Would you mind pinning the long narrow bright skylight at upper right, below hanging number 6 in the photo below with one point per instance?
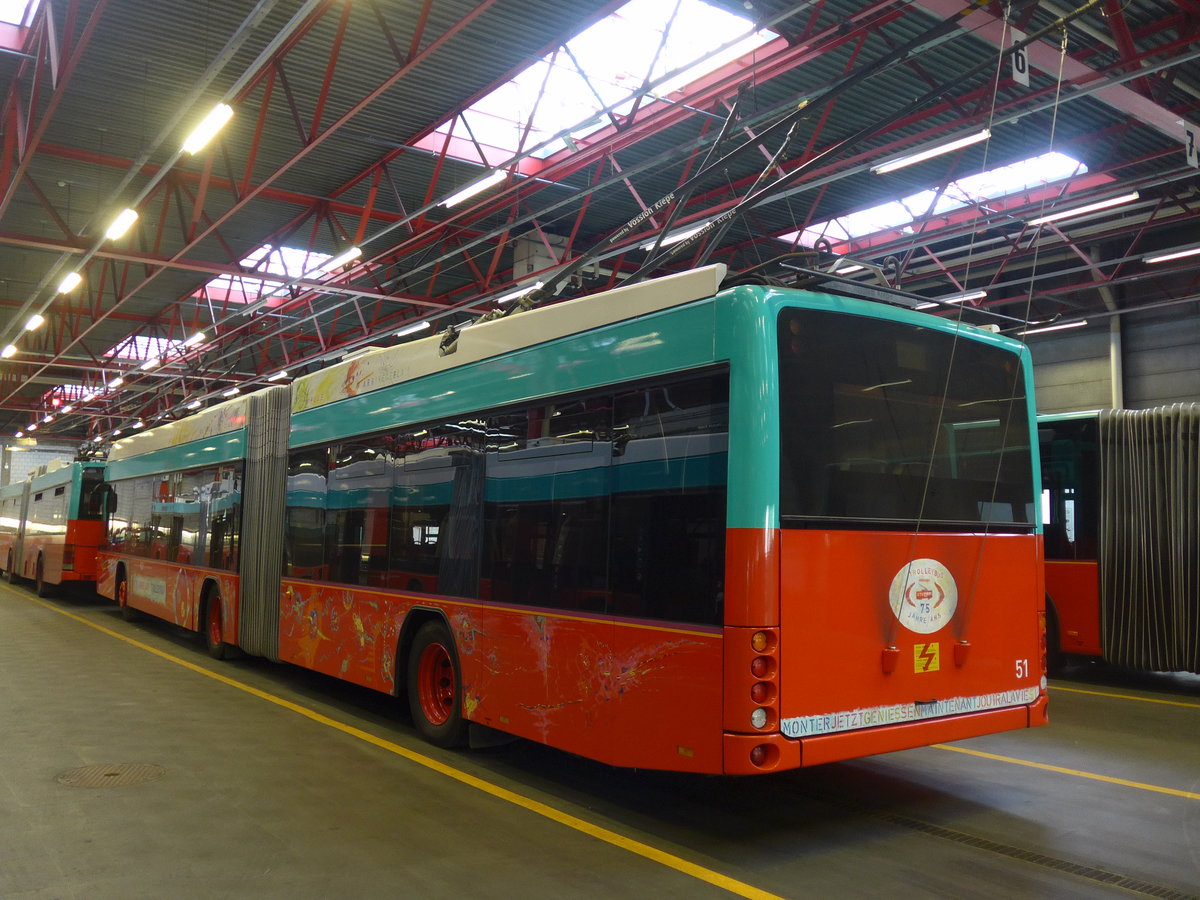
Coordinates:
(1028, 176)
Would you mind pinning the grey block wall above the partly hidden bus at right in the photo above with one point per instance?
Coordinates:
(1072, 371)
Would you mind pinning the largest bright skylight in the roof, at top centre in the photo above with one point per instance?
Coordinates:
(605, 68)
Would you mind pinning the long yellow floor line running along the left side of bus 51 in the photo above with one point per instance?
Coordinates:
(609, 837)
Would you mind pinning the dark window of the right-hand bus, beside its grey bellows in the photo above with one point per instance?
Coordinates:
(1070, 489)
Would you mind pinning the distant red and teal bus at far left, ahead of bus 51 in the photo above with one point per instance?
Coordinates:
(52, 525)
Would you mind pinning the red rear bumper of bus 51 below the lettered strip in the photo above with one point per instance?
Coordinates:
(797, 753)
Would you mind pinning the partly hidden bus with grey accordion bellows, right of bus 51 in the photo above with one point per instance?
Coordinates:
(1121, 511)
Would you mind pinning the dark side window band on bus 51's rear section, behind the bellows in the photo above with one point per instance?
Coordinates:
(610, 502)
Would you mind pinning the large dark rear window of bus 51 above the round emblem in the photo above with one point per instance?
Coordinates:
(886, 424)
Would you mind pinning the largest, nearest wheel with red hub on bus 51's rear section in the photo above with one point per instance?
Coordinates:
(435, 687)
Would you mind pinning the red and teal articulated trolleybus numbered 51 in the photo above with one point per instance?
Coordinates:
(668, 526)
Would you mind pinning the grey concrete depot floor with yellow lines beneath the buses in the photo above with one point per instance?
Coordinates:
(335, 796)
